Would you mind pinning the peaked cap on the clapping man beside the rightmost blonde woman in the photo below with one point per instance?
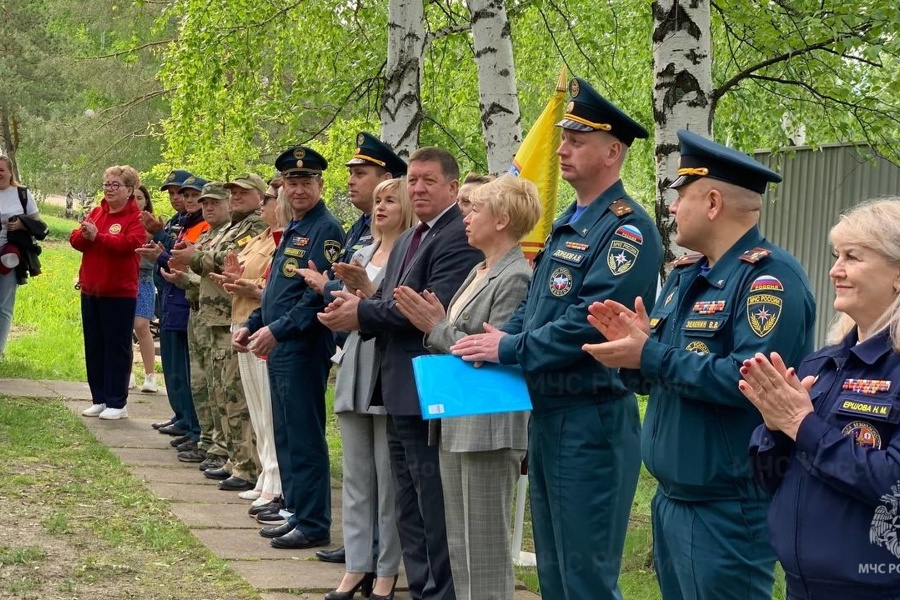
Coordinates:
(701, 157)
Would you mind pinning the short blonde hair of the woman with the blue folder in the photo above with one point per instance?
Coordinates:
(511, 196)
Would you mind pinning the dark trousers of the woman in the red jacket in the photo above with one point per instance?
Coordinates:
(107, 324)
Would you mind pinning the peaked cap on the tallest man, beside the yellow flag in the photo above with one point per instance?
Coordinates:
(589, 111)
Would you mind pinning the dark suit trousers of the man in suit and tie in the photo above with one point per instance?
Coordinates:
(420, 509)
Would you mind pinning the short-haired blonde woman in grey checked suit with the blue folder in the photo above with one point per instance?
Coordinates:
(480, 456)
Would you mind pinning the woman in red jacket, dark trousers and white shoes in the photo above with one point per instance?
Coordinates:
(107, 239)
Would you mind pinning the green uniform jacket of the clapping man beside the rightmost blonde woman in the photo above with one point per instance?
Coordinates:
(756, 298)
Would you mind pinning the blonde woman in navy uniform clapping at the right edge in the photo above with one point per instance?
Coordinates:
(829, 448)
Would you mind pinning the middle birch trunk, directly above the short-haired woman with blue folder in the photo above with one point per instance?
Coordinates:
(499, 102)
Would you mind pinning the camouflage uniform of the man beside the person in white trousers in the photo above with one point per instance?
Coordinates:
(226, 393)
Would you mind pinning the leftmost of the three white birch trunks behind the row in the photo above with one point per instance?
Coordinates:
(401, 107)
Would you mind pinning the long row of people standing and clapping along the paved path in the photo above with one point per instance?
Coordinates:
(262, 291)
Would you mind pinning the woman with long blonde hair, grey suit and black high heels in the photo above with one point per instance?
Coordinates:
(368, 487)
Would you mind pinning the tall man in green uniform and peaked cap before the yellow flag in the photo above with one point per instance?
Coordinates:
(584, 442)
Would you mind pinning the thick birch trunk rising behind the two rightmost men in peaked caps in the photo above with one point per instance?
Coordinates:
(682, 63)
